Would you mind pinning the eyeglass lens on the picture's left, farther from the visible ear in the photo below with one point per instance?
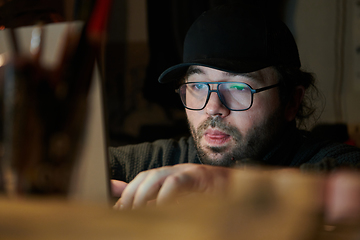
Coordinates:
(193, 95)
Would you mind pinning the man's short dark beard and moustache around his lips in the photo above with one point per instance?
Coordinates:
(251, 146)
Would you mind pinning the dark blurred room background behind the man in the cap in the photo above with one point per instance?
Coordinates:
(145, 37)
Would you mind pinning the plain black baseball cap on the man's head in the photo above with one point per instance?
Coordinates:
(236, 38)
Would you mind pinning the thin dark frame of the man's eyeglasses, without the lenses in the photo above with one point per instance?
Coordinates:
(252, 90)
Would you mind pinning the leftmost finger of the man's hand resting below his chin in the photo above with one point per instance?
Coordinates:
(127, 197)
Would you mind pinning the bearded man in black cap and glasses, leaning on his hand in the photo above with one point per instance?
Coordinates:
(243, 92)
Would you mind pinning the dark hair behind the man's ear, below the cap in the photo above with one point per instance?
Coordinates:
(289, 79)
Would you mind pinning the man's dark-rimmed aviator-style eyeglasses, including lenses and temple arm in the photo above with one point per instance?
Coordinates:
(236, 96)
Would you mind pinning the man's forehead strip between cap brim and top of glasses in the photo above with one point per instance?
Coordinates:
(209, 74)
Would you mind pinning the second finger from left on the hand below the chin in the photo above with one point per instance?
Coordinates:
(150, 187)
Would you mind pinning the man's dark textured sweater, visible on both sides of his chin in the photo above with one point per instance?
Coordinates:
(296, 149)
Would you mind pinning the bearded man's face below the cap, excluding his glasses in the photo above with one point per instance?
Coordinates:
(223, 136)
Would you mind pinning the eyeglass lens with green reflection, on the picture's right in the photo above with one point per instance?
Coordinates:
(236, 96)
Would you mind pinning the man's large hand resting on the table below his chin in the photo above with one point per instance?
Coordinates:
(166, 184)
